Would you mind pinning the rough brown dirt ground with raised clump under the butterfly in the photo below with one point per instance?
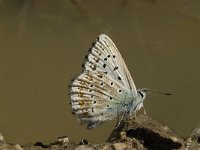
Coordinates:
(138, 133)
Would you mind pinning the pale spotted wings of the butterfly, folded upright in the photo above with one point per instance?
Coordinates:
(104, 84)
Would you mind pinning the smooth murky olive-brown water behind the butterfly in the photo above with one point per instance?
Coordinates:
(43, 43)
